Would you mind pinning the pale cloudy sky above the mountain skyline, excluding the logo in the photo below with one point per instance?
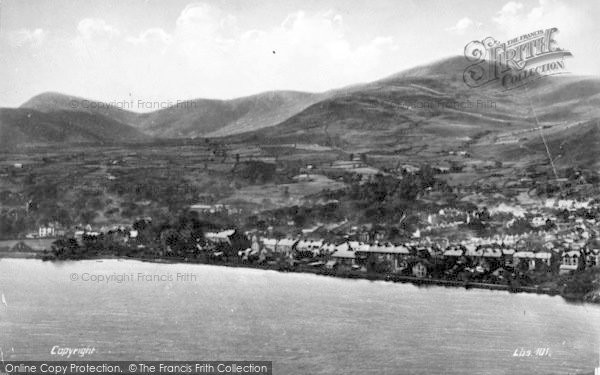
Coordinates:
(150, 50)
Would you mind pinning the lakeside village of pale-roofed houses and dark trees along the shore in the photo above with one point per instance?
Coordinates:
(562, 244)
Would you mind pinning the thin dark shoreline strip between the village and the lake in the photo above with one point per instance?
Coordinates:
(317, 271)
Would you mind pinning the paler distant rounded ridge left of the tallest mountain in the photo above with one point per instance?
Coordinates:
(200, 117)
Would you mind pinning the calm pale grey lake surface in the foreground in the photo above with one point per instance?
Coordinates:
(305, 324)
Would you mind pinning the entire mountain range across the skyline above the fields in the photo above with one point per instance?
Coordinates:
(420, 112)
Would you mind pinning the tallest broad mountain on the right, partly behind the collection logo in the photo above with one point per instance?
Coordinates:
(429, 109)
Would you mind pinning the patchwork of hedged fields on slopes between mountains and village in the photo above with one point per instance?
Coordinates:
(114, 184)
